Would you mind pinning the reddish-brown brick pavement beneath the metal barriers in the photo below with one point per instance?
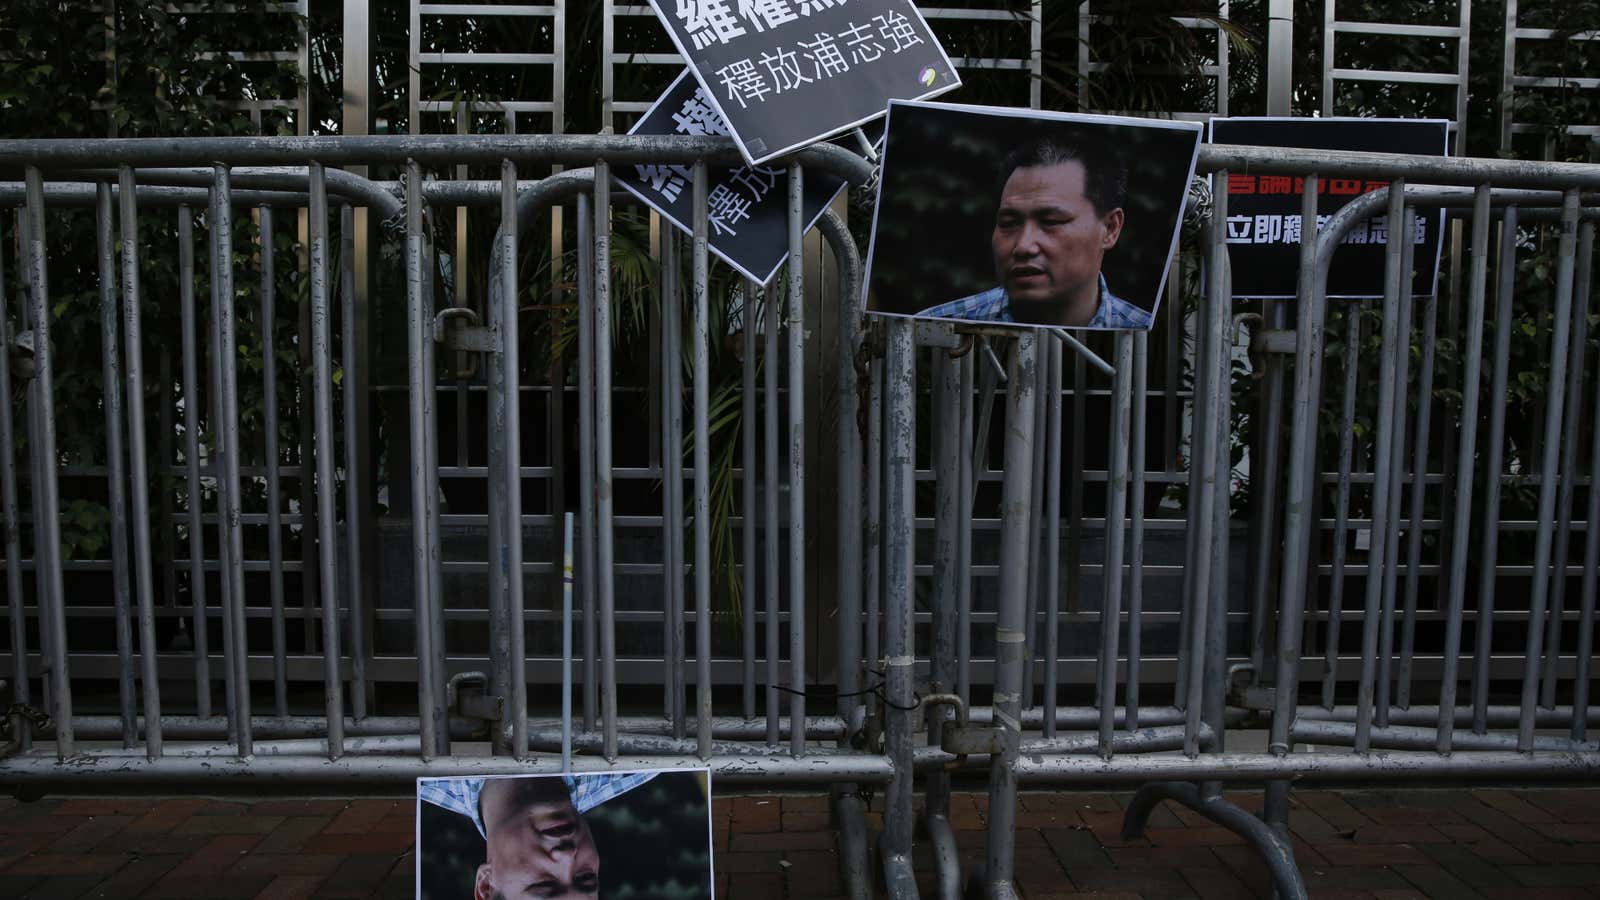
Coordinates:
(1487, 843)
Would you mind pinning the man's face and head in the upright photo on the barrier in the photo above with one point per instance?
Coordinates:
(1049, 244)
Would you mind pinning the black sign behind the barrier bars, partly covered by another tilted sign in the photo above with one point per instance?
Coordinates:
(748, 206)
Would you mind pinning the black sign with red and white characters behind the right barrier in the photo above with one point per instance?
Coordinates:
(1265, 211)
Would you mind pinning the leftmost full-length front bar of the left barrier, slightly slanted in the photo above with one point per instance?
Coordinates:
(47, 504)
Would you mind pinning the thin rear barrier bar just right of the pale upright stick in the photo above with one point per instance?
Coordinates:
(586, 457)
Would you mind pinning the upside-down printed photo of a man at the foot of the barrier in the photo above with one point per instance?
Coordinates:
(639, 835)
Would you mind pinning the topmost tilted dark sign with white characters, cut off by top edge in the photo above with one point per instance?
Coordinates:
(791, 73)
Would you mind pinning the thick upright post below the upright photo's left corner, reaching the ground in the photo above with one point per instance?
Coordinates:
(900, 582)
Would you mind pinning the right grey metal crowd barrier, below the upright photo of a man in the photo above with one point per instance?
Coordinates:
(1404, 720)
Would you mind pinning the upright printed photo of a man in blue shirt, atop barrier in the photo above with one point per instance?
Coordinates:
(1031, 219)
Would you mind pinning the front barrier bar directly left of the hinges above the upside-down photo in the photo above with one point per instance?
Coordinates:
(422, 403)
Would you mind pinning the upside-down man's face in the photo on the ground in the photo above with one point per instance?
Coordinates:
(538, 845)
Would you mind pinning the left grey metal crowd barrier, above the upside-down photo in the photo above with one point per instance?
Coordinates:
(782, 742)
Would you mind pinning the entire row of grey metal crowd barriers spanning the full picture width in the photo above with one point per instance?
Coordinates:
(1039, 726)
